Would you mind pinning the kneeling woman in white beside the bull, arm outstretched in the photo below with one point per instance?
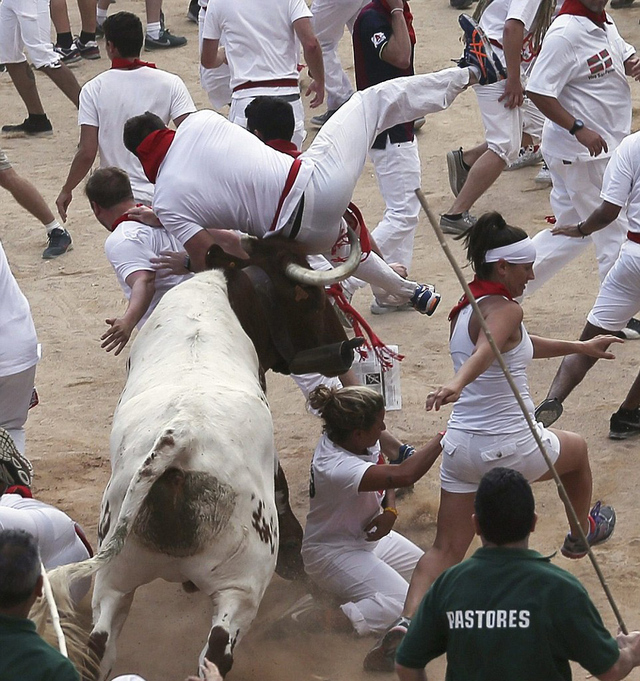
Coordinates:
(349, 546)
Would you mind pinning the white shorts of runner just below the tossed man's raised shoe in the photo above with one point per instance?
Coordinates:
(503, 127)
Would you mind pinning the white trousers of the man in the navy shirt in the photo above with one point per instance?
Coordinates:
(397, 168)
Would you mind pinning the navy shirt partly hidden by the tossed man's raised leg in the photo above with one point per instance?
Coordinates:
(371, 32)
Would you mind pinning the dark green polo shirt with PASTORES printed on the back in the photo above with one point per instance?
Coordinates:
(508, 615)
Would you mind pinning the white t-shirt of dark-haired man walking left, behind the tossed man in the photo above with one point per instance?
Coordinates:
(112, 97)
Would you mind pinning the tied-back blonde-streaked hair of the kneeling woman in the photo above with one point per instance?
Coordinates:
(344, 410)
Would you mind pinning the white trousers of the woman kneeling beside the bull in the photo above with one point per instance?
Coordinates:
(374, 584)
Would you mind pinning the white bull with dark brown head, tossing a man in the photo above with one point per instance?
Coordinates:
(191, 497)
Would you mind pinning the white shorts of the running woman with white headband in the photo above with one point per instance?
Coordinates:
(466, 457)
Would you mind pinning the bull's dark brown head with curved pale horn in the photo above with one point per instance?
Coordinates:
(283, 308)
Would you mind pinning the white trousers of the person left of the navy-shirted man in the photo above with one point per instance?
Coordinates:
(329, 19)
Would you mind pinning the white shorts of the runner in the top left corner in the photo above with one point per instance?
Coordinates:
(26, 24)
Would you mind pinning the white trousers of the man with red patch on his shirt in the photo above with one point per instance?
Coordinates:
(575, 195)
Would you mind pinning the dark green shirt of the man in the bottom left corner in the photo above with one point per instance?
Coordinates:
(24, 656)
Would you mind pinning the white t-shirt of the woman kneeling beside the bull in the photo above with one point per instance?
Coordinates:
(338, 513)
